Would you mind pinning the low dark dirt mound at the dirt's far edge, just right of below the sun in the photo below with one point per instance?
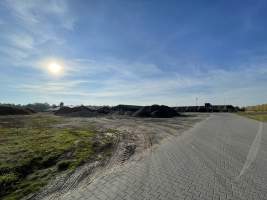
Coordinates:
(79, 111)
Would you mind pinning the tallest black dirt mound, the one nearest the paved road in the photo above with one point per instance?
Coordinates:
(156, 111)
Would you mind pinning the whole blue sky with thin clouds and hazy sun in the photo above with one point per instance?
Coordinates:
(133, 52)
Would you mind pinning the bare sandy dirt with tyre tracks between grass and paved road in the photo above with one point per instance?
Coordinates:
(135, 137)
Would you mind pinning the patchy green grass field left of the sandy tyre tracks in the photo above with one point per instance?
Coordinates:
(33, 150)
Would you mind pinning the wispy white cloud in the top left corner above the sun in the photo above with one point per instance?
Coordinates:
(34, 28)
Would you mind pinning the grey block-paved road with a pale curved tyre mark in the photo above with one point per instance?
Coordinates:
(223, 157)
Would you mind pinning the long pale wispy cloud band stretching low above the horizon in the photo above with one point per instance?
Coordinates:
(132, 84)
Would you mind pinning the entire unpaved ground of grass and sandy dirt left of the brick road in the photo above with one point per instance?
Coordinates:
(53, 155)
